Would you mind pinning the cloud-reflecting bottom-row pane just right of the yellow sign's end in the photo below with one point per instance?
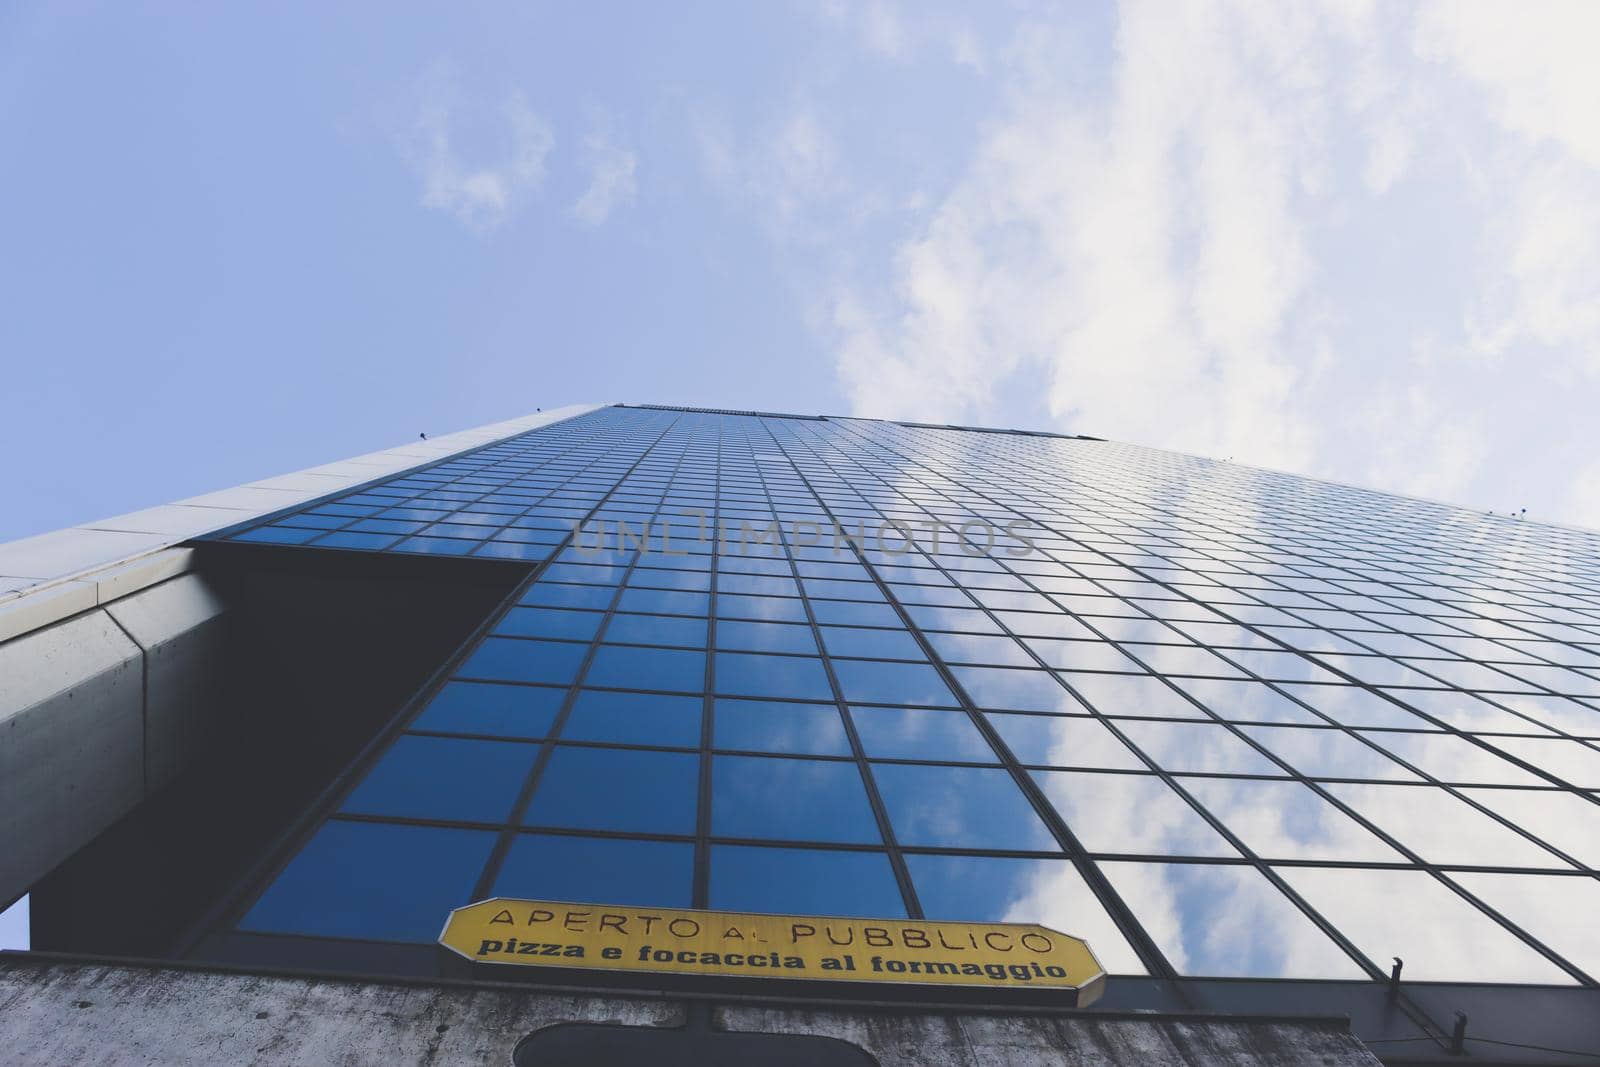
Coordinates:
(1185, 908)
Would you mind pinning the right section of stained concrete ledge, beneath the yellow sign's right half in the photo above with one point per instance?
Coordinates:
(1063, 1041)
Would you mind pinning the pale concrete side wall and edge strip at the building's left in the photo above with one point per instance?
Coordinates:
(111, 652)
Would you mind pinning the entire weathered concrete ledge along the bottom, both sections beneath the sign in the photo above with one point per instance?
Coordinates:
(62, 1012)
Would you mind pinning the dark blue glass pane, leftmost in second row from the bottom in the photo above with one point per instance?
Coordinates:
(446, 778)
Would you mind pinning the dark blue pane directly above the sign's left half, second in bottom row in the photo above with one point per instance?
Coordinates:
(598, 871)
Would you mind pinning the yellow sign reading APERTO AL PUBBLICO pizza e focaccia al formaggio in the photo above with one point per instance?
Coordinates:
(735, 945)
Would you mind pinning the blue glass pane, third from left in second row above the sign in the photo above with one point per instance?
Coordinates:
(798, 801)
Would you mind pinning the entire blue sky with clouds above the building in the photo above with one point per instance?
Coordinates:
(1353, 241)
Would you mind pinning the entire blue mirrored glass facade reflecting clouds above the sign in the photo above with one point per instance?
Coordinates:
(1220, 722)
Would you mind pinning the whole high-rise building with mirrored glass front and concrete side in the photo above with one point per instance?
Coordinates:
(1281, 751)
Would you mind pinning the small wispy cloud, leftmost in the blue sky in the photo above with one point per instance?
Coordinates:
(511, 164)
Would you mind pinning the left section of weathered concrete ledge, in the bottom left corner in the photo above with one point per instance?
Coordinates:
(70, 1013)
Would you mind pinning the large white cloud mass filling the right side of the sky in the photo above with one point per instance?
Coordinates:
(1343, 239)
